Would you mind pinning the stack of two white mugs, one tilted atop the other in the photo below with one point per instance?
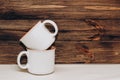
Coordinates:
(40, 59)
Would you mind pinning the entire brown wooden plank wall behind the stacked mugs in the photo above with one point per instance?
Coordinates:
(89, 30)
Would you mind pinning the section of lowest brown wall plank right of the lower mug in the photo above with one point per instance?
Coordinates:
(103, 52)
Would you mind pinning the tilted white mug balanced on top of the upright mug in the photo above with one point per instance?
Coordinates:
(39, 37)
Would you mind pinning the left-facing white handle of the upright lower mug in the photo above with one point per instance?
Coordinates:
(19, 57)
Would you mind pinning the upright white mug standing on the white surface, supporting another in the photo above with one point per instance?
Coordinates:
(38, 62)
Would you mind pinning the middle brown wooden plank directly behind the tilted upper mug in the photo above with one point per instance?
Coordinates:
(68, 29)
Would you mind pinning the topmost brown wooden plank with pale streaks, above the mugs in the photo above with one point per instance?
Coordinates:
(63, 9)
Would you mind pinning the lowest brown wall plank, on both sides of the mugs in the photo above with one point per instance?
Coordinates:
(68, 52)
